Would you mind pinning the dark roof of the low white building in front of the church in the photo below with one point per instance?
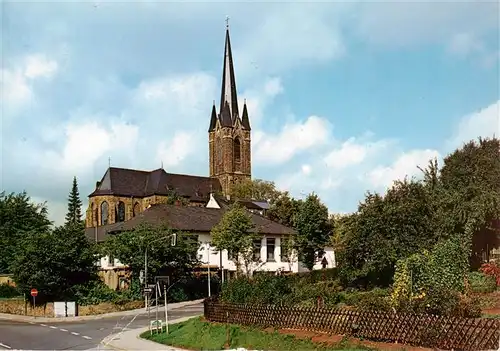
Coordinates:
(184, 218)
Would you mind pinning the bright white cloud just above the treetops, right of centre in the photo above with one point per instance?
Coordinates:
(405, 165)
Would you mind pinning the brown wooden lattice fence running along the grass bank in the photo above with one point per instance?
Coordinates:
(417, 330)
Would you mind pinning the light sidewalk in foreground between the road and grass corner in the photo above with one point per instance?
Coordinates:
(131, 340)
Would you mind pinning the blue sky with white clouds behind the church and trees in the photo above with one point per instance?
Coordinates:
(343, 97)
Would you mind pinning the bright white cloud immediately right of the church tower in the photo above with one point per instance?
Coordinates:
(291, 140)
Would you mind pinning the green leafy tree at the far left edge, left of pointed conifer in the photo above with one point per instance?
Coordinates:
(18, 216)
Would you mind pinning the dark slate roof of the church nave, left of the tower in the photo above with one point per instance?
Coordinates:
(131, 182)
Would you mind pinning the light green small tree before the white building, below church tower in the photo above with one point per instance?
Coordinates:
(236, 234)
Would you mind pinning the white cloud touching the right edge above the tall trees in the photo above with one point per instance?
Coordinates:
(483, 123)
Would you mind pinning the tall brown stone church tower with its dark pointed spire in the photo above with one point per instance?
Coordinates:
(229, 132)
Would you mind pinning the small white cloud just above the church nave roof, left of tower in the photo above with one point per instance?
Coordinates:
(174, 153)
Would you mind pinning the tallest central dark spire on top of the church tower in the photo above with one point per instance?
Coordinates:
(228, 92)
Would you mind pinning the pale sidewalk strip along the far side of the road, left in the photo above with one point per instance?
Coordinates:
(21, 318)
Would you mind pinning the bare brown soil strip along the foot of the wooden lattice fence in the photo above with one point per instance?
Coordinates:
(331, 339)
